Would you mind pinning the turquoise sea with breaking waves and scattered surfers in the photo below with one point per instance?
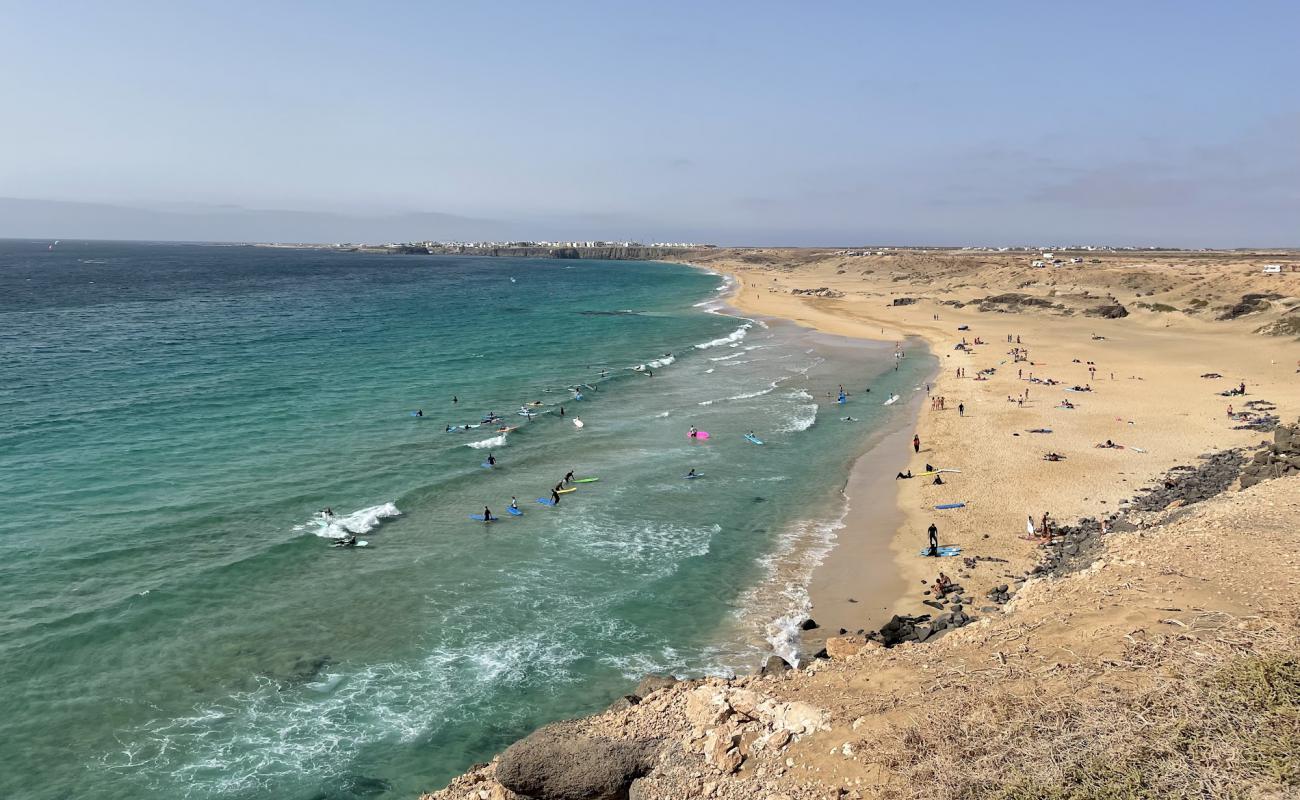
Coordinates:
(174, 418)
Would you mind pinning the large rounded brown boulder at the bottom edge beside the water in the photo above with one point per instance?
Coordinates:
(557, 764)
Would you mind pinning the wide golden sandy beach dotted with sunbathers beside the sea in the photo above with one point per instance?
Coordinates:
(1146, 395)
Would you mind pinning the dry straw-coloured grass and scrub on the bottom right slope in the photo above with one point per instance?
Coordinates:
(1212, 713)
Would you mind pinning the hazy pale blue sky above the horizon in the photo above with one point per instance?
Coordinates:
(1154, 123)
